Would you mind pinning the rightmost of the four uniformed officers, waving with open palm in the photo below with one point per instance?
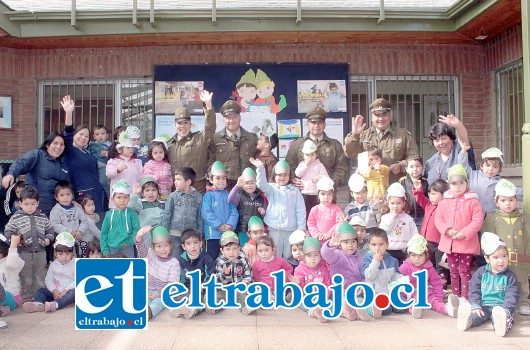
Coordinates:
(395, 142)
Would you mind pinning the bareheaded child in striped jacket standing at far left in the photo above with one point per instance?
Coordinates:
(36, 232)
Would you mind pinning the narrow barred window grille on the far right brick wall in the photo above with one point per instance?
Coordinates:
(510, 107)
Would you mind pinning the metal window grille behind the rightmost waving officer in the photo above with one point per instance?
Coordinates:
(417, 101)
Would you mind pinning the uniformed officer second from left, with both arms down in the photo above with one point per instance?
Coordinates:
(233, 146)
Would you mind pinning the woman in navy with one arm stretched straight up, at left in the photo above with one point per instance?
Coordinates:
(82, 165)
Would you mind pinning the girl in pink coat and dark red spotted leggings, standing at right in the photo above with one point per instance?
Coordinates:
(459, 217)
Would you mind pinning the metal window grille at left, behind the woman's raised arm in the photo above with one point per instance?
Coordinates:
(103, 101)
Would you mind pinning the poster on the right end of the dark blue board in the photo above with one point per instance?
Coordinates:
(327, 94)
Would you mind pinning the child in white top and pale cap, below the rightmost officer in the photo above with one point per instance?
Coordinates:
(399, 225)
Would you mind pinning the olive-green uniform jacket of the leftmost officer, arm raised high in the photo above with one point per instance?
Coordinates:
(192, 150)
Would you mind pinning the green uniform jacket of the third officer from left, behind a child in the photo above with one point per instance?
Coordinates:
(329, 152)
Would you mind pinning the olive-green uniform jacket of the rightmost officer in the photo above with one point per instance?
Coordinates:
(397, 145)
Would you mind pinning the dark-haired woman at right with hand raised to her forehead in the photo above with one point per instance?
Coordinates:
(443, 136)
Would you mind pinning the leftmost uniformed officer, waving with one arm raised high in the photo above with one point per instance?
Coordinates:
(190, 149)
